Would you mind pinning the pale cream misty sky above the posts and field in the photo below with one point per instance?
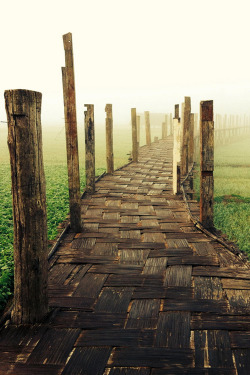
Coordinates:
(147, 54)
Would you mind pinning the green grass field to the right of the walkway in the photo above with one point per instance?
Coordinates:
(232, 192)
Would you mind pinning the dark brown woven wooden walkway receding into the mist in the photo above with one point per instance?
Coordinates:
(141, 291)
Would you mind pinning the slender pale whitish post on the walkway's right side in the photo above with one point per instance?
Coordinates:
(176, 151)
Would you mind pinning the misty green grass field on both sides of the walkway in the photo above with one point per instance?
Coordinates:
(232, 188)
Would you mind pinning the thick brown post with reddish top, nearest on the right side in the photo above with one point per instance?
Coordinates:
(206, 164)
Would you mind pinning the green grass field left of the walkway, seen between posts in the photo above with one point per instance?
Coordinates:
(56, 187)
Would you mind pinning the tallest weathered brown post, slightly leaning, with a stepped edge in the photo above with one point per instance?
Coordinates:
(71, 135)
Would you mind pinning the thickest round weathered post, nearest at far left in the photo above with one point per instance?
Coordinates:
(23, 108)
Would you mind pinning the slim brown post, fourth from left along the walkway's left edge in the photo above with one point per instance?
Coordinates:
(109, 139)
